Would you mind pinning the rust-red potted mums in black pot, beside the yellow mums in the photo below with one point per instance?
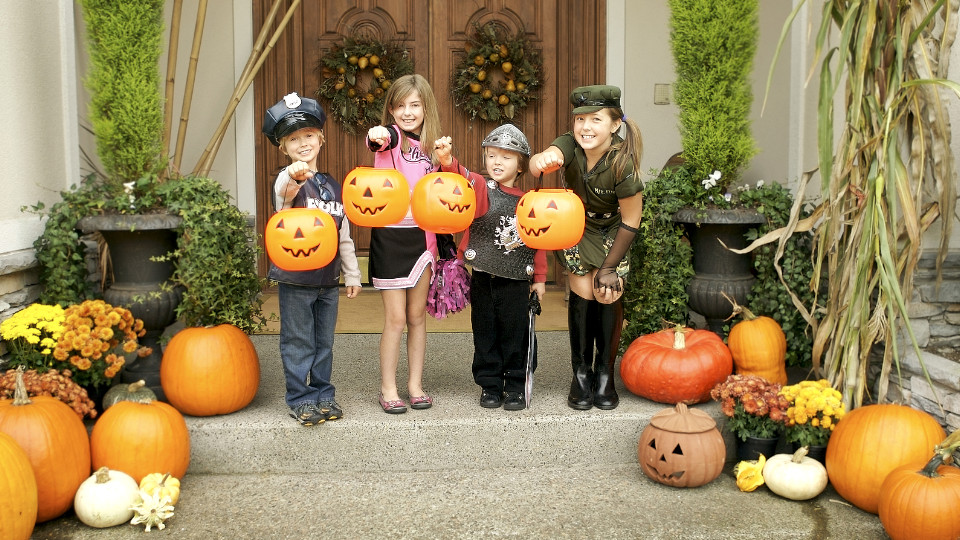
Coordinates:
(756, 413)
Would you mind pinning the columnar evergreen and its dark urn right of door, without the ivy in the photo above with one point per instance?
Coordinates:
(713, 44)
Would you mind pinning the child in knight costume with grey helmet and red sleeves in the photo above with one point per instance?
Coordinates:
(505, 271)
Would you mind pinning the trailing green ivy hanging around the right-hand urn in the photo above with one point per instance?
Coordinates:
(657, 291)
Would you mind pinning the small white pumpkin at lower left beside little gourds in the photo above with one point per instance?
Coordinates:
(105, 499)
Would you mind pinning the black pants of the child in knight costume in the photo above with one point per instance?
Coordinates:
(500, 316)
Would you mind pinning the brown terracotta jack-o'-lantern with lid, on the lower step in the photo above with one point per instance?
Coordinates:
(681, 447)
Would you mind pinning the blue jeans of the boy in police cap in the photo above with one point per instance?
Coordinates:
(308, 319)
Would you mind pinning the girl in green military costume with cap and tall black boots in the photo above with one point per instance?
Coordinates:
(600, 167)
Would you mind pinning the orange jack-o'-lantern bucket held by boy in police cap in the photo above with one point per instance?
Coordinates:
(301, 239)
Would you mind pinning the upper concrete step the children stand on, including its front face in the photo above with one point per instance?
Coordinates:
(456, 433)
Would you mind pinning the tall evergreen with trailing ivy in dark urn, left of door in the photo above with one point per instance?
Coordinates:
(195, 255)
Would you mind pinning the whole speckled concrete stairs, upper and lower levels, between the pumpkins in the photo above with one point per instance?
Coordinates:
(456, 470)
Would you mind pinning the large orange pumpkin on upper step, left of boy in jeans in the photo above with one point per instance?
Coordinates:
(210, 370)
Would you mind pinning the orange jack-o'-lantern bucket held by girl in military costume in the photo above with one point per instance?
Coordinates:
(550, 219)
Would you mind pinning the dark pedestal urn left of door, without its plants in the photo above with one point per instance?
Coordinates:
(139, 283)
